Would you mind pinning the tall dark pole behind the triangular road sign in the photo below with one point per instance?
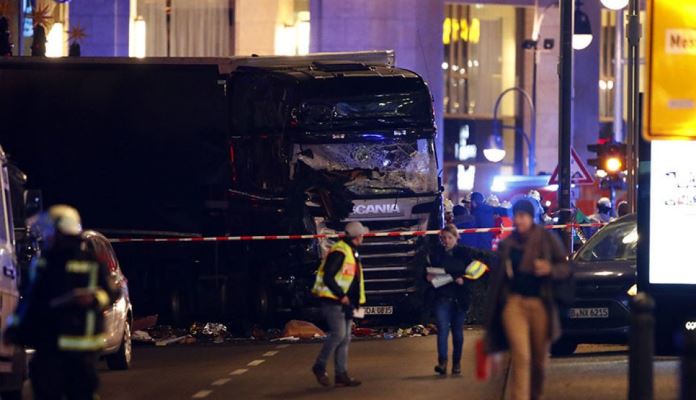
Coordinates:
(565, 117)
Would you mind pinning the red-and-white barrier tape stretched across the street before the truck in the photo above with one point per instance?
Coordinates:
(243, 238)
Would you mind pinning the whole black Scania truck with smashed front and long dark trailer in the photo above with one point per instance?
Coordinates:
(242, 146)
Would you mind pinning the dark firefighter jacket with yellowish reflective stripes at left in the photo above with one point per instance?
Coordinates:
(66, 297)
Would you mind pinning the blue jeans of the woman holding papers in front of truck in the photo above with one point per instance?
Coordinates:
(450, 318)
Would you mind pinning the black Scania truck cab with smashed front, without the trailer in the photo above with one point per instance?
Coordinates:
(330, 142)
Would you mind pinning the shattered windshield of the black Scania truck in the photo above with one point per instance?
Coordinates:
(375, 168)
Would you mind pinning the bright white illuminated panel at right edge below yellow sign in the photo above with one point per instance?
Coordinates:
(672, 212)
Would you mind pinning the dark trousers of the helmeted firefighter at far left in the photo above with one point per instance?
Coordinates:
(64, 375)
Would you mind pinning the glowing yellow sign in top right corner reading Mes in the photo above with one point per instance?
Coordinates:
(671, 58)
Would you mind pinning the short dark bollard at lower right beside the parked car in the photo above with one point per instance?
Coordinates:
(641, 348)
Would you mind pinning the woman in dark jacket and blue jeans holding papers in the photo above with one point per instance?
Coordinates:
(451, 301)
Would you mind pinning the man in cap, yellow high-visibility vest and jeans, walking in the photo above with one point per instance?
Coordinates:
(341, 289)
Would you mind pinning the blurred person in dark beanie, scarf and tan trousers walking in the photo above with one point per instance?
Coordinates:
(523, 316)
